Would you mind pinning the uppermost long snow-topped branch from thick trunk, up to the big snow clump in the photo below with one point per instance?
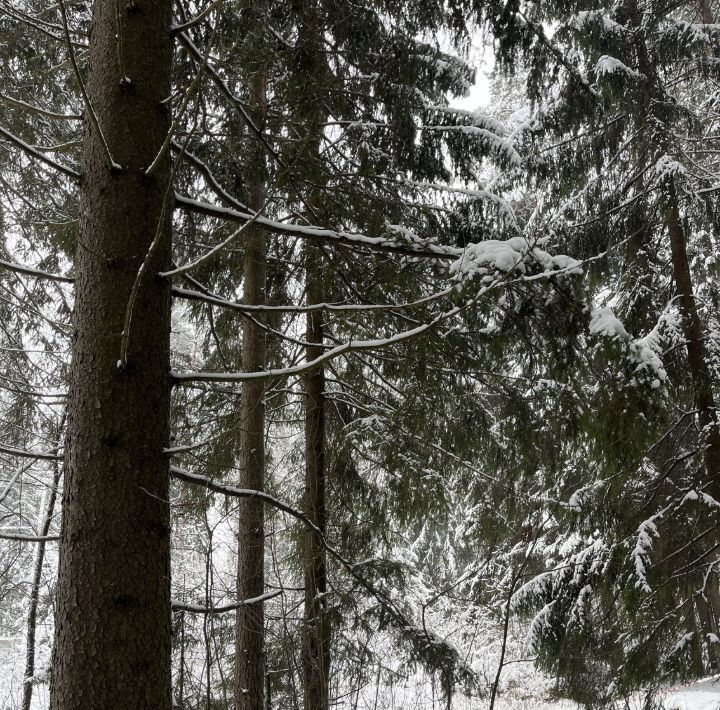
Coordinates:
(319, 233)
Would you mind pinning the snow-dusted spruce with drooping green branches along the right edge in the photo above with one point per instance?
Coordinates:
(628, 584)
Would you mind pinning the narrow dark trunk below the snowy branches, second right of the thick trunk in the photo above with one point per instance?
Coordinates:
(316, 641)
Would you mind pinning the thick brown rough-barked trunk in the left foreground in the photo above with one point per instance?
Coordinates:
(112, 636)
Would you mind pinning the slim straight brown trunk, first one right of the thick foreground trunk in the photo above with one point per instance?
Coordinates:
(250, 620)
